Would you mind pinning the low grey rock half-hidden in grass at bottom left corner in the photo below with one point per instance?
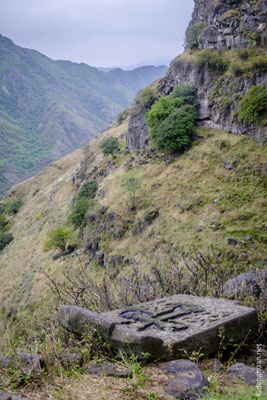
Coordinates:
(27, 362)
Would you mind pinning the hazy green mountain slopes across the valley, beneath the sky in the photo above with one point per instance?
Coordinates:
(49, 108)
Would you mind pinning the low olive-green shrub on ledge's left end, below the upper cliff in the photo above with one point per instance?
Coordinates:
(211, 60)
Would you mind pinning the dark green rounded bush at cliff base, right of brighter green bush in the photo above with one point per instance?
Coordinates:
(176, 130)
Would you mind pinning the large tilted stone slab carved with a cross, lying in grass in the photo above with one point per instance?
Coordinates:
(178, 322)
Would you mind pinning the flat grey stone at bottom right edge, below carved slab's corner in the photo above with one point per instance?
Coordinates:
(250, 375)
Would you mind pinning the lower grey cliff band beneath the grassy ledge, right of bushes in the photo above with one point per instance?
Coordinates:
(218, 95)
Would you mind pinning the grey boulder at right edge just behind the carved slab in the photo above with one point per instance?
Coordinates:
(250, 283)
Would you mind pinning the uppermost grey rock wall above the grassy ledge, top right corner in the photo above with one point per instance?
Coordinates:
(230, 24)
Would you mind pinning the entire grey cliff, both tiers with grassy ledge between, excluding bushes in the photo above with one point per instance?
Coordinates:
(224, 28)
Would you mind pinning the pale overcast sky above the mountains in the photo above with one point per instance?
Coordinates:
(102, 33)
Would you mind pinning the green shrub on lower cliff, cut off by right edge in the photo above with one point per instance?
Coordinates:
(253, 105)
